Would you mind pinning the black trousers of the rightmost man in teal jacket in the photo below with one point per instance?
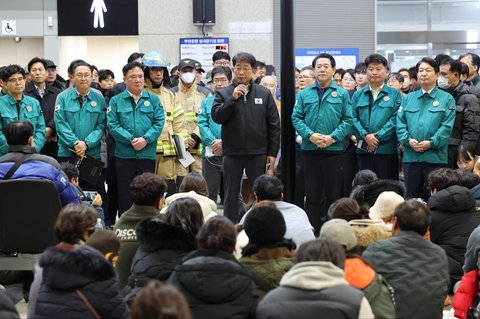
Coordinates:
(416, 178)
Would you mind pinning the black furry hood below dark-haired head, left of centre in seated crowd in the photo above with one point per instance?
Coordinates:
(154, 234)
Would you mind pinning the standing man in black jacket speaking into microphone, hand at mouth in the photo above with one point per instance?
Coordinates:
(250, 131)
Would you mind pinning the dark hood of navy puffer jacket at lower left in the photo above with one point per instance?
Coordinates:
(73, 268)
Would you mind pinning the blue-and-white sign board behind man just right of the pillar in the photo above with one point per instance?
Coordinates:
(345, 58)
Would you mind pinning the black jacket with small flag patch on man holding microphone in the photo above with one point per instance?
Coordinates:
(250, 126)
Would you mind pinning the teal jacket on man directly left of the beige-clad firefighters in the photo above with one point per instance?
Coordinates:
(127, 121)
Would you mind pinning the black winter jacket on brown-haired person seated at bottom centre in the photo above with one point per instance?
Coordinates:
(216, 285)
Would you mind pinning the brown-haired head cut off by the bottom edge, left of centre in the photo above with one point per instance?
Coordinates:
(158, 300)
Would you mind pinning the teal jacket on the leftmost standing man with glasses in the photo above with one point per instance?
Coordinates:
(31, 111)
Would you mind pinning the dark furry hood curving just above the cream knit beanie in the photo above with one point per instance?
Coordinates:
(368, 194)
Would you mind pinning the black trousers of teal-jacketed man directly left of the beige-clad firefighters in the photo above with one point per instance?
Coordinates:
(126, 170)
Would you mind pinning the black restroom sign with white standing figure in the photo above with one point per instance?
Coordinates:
(97, 17)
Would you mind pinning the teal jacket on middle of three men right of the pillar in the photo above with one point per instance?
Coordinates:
(377, 116)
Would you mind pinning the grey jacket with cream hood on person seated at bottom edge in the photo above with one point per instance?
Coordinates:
(313, 289)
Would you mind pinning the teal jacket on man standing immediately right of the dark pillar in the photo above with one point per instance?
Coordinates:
(330, 116)
